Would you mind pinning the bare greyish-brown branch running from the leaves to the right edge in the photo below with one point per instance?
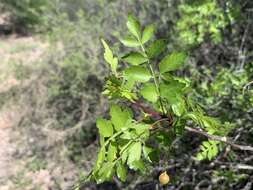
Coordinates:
(218, 138)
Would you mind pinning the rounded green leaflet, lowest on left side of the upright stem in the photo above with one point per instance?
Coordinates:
(149, 92)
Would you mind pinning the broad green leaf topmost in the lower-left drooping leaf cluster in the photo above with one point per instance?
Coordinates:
(119, 117)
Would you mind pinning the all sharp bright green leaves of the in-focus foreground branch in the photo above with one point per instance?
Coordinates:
(150, 100)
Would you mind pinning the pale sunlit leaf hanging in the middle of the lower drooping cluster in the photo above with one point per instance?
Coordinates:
(134, 153)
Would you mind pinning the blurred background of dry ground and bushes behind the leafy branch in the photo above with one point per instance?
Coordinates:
(52, 73)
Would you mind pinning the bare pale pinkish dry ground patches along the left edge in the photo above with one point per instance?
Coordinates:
(15, 52)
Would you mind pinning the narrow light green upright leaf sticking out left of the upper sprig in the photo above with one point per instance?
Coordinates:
(108, 56)
